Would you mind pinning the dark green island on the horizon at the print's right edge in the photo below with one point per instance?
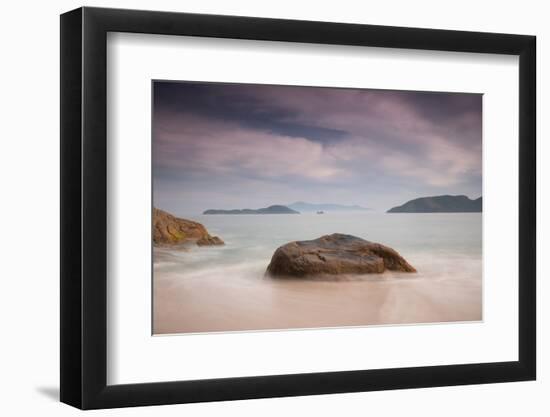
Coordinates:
(440, 204)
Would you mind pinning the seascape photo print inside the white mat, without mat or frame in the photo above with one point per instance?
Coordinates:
(288, 207)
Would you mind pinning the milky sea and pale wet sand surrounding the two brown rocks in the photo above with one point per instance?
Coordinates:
(223, 288)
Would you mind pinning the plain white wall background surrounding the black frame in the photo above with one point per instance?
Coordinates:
(29, 225)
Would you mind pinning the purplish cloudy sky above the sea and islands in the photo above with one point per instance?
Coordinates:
(226, 146)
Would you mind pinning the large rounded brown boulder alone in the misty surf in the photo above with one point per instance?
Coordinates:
(335, 254)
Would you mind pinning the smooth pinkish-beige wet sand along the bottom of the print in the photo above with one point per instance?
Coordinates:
(222, 303)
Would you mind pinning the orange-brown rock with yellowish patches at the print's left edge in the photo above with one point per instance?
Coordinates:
(171, 230)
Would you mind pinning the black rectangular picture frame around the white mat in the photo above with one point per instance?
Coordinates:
(84, 207)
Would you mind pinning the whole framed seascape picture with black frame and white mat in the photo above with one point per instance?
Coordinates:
(258, 208)
